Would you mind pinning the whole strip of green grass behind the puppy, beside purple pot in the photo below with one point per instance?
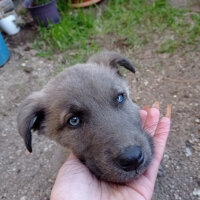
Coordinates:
(134, 22)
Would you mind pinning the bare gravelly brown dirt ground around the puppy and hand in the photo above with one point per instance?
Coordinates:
(169, 79)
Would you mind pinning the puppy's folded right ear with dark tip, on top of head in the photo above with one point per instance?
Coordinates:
(112, 59)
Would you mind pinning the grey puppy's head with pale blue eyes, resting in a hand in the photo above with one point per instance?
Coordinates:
(87, 108)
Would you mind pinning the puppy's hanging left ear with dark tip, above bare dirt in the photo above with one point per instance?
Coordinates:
(30, 117)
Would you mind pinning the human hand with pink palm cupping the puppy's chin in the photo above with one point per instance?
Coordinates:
(75, 182)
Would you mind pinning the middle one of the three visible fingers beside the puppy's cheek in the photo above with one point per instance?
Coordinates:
(152, 119)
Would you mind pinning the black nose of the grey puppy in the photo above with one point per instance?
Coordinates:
(131, 158)
